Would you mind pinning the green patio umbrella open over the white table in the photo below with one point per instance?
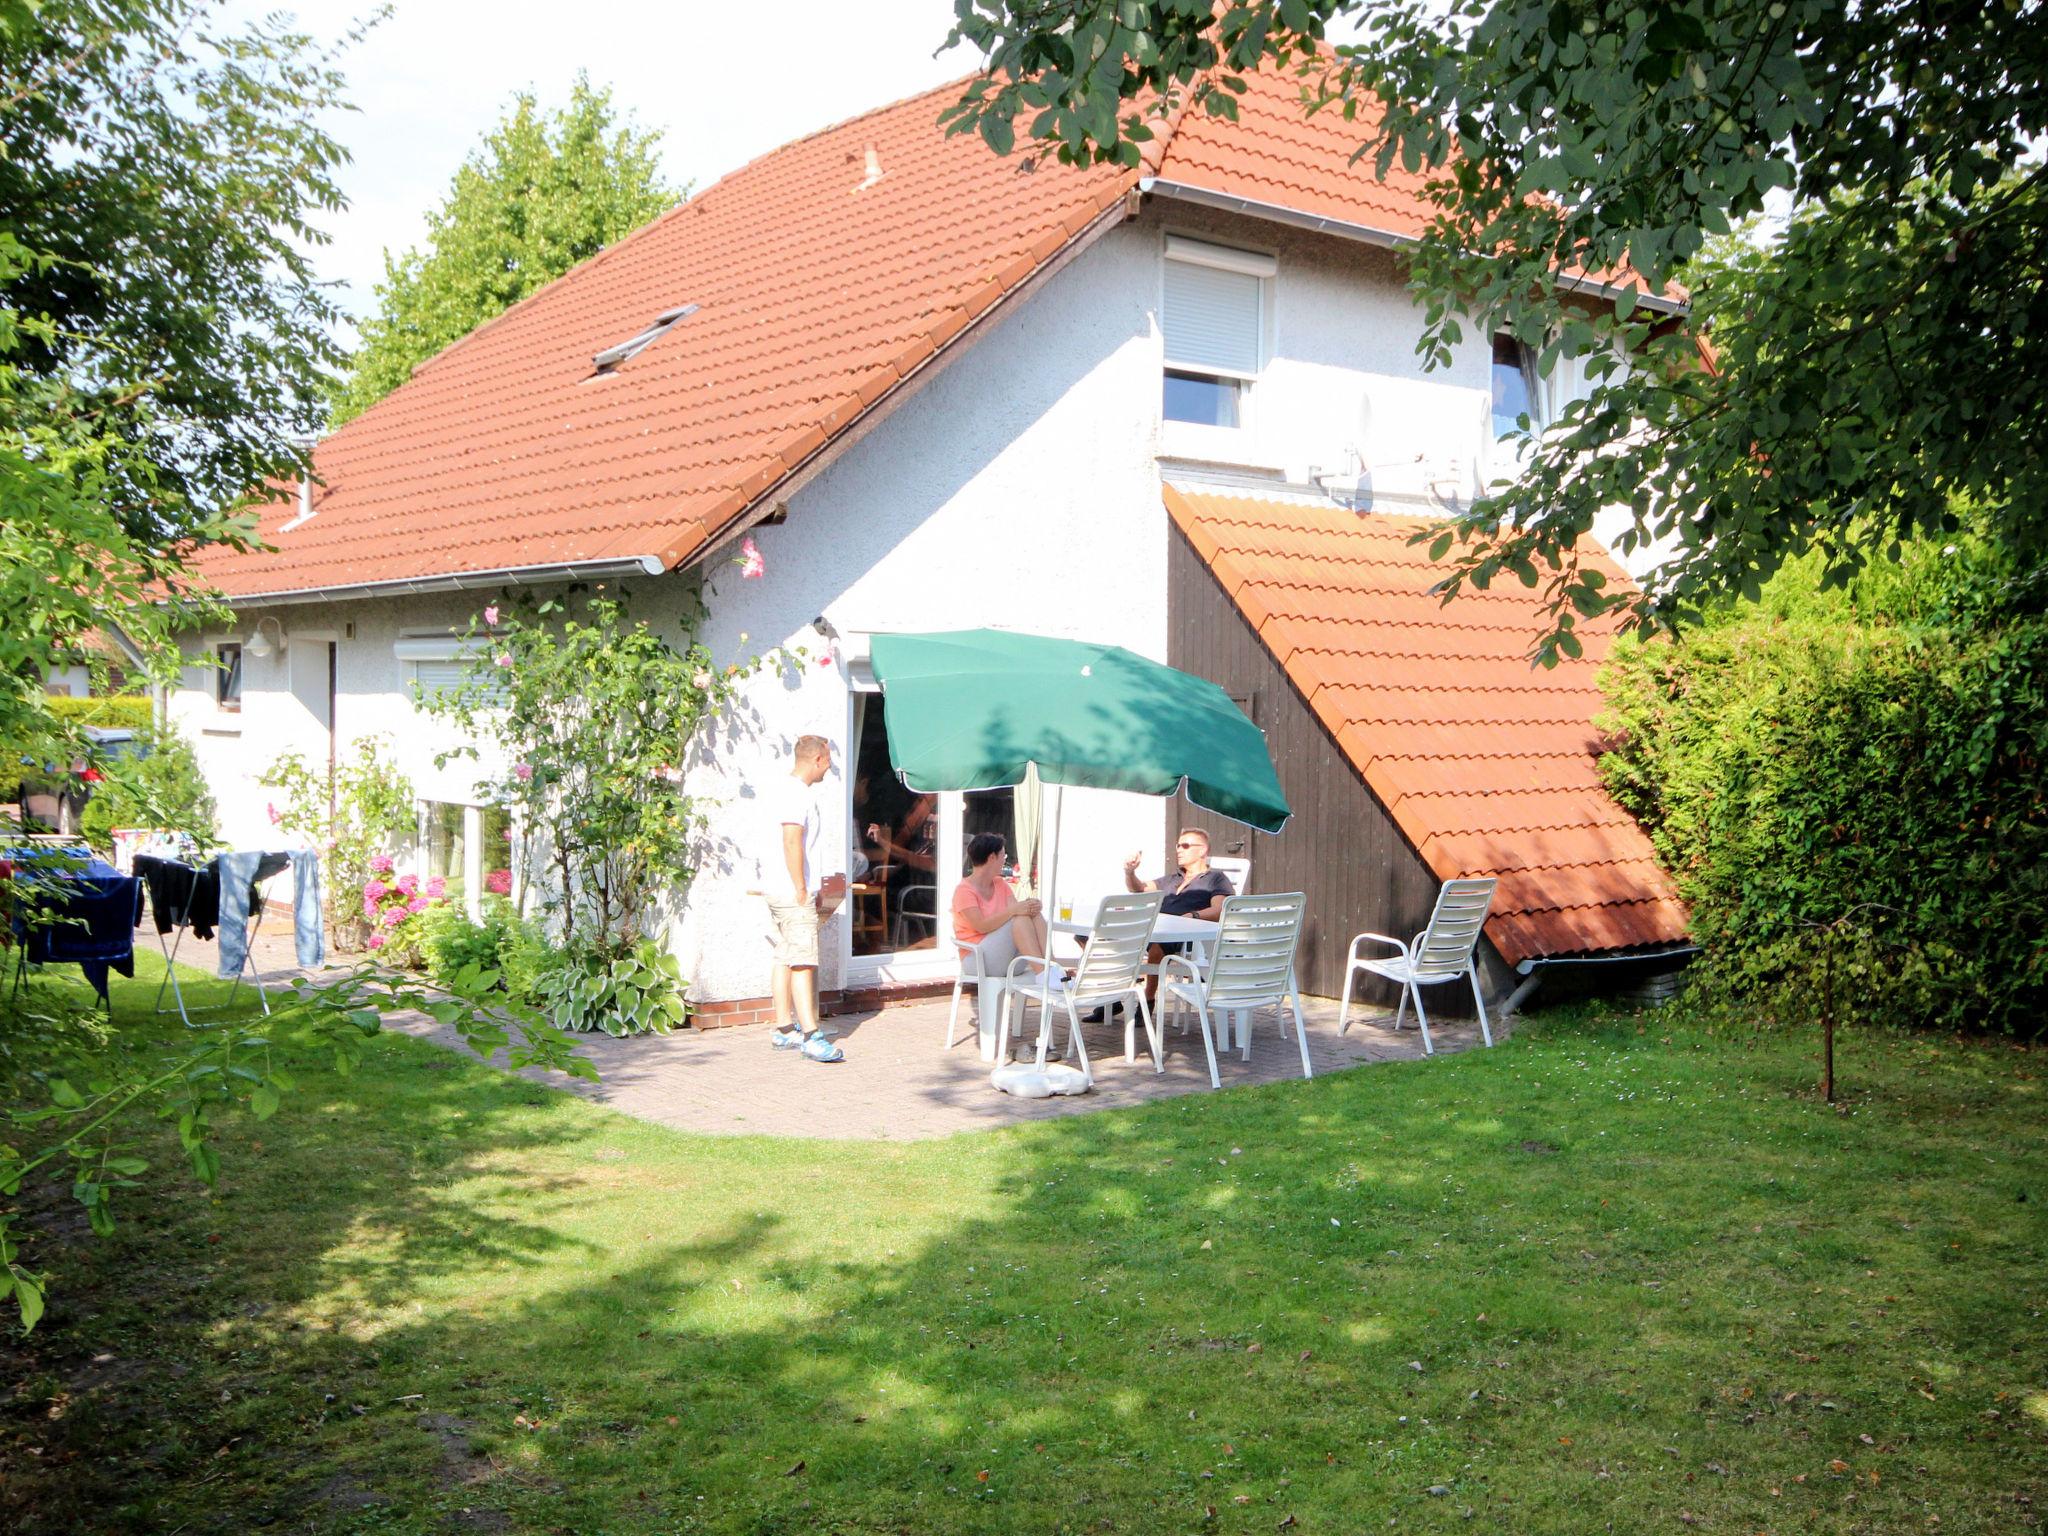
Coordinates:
(976, 708)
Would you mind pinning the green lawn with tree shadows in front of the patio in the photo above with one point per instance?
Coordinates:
(1617, 1275)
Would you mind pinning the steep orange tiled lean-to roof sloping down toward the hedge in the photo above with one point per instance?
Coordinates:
(1486, 765)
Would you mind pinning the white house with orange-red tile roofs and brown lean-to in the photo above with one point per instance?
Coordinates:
(1170, 407)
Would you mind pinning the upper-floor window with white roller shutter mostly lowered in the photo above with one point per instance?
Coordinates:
(1213, 323)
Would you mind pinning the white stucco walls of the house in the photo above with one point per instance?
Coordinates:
(1017, 488)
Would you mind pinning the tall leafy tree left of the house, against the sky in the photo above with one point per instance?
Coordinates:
(163, 337)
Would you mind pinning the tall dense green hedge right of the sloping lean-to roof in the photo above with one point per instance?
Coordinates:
(1824, 767)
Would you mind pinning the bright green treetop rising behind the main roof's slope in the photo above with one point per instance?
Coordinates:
(544, 194)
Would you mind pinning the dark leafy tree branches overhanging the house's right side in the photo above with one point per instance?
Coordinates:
(1891, 357)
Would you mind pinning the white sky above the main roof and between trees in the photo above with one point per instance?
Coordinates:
(722, 81)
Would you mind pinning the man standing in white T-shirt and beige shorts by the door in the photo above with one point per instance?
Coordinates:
(796, 906)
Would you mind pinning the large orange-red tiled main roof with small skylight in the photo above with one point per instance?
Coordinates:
(816, 296)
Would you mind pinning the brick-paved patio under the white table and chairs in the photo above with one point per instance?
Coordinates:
(898, 1080)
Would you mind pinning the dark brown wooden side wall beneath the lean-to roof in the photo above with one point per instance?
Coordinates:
(1342, 847)
